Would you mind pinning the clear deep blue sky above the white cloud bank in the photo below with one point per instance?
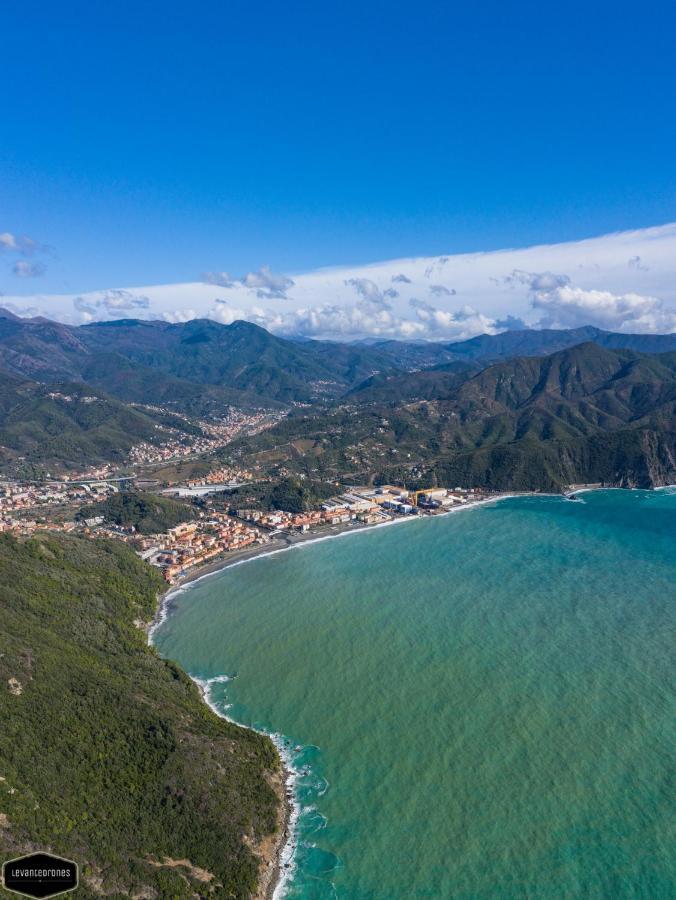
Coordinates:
(147, 143)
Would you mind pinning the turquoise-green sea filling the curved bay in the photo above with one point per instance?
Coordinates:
(479, 705)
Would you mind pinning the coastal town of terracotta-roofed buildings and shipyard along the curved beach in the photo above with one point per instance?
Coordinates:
(208, 526)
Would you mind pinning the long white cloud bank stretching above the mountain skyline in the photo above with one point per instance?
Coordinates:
(619, 282)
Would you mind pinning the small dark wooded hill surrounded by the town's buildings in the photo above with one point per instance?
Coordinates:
(147, 513)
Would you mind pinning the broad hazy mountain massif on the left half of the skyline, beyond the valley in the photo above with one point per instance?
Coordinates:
(143, 361)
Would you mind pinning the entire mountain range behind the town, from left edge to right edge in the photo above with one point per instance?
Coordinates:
(500, 410)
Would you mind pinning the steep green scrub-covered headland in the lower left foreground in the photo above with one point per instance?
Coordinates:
(107, 753)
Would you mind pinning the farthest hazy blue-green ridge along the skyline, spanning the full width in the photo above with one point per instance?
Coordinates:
(243, 364)
